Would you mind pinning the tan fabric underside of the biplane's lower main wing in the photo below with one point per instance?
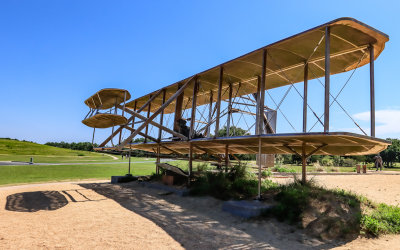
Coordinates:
(335, 143)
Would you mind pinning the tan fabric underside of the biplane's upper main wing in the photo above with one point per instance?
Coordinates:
(285, 62)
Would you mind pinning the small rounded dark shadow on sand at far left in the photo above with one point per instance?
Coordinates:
(35, 201)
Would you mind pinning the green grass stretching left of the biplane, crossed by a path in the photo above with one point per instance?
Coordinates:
(12, 150)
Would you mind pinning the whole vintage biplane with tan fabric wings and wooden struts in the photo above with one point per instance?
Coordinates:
(184, 119)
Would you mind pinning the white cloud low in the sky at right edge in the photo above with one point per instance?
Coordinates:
(387, 121)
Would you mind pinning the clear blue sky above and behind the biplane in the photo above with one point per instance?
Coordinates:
(55, 54)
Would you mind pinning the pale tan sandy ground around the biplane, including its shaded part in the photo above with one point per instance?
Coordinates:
(103, 216)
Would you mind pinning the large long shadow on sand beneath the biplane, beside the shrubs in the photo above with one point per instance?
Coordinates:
(199, 223)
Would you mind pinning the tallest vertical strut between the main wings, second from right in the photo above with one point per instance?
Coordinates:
(327, 77)
